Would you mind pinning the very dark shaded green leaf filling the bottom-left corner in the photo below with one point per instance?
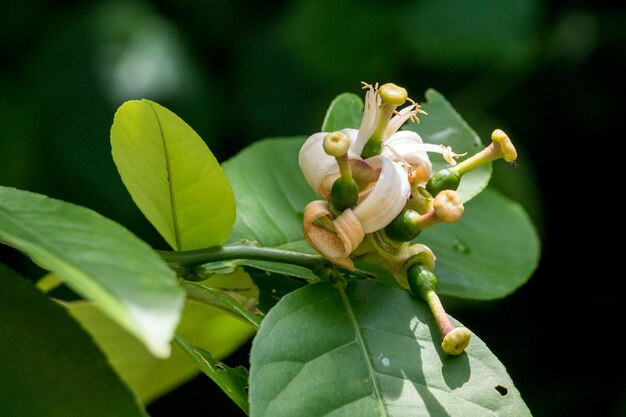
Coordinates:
(50, 367)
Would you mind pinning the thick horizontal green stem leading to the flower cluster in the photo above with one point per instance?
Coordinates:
(197, 257)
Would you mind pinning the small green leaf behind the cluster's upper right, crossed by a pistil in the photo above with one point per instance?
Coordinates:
(443, 125)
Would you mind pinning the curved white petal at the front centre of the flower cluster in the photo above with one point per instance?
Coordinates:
(388, 197)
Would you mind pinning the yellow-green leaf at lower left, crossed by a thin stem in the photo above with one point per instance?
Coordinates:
(149, 377)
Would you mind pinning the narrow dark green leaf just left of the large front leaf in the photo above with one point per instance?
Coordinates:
(233, 381)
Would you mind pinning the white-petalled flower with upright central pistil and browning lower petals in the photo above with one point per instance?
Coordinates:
(384, 162)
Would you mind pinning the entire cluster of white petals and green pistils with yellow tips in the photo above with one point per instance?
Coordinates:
(377, 192)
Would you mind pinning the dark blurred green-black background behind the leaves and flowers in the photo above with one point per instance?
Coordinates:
(551, 74)
